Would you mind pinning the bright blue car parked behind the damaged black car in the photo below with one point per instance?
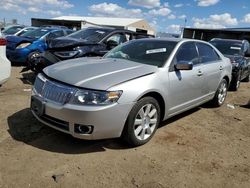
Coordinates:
(22, 49)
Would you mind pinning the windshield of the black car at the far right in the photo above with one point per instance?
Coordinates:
(228, 47)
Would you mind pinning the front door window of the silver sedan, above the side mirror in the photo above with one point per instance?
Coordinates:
(187, 53)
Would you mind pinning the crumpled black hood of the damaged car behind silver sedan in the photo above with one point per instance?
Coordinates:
(65, 42)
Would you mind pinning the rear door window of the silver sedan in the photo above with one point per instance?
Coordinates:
(207, 53)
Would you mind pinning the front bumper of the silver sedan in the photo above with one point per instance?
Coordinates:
(107, 121)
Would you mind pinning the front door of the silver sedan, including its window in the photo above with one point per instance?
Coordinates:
(186, 86)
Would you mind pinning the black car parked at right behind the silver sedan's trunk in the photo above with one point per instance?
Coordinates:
(236, 50)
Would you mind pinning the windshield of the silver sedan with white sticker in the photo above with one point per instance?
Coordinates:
(151, 52)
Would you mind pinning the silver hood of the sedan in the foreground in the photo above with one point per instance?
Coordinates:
(99, 74)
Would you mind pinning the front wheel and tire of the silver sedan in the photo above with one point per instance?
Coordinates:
(142, 122)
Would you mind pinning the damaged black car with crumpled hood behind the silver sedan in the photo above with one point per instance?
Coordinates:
(92, 41)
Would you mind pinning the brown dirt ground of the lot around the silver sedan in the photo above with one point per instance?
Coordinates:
(205, 147)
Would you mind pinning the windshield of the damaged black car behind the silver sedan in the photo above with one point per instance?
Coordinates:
(91, 35)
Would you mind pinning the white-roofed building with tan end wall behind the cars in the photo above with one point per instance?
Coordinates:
(78, 22)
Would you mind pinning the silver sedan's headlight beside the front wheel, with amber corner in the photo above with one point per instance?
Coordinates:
(89, 97)
